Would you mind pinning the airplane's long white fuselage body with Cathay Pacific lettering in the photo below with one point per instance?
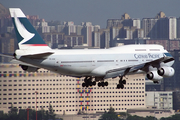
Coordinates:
(96, 62)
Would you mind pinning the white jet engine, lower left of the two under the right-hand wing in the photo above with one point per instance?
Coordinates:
(153, 75)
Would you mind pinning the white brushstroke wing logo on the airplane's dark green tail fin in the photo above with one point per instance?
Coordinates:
(22, 31)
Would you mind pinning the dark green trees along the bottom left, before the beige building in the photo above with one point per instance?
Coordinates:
(14, 114)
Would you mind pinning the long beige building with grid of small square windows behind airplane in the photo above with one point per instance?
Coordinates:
(65, 93)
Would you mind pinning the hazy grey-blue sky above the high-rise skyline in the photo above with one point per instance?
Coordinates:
(95, 11)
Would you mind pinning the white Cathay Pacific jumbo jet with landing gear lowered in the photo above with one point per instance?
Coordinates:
(94, 65)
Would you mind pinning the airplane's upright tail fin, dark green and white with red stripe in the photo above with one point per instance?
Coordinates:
(26, 35)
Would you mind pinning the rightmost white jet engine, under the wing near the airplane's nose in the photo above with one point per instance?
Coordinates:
(166, 71)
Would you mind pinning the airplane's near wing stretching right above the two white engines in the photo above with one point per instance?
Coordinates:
(134, 68)
